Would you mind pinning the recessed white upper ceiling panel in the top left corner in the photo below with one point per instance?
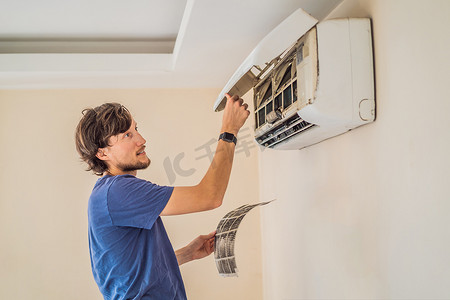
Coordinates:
(94, 19)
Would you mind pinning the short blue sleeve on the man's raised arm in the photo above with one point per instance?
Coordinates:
(135, 202)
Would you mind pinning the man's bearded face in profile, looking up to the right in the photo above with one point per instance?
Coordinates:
(126, 152)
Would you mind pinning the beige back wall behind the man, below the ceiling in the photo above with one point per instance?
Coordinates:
(44, 190)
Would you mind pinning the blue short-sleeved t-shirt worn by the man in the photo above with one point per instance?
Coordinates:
(131, 255)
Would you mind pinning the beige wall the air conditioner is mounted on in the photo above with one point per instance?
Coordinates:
(366, 214)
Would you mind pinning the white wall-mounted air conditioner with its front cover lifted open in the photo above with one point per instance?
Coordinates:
(310, 81)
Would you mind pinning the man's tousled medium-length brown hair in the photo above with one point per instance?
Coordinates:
(94, 130)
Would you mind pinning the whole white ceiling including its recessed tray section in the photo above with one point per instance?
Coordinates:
(148, 43)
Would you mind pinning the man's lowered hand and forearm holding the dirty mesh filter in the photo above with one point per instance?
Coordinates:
(200, 247)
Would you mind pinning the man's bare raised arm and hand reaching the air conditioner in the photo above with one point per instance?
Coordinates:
(209, 193)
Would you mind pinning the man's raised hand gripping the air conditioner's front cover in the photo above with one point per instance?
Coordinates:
(234, 115)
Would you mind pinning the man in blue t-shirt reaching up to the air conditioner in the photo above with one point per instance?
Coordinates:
(131, 255)
